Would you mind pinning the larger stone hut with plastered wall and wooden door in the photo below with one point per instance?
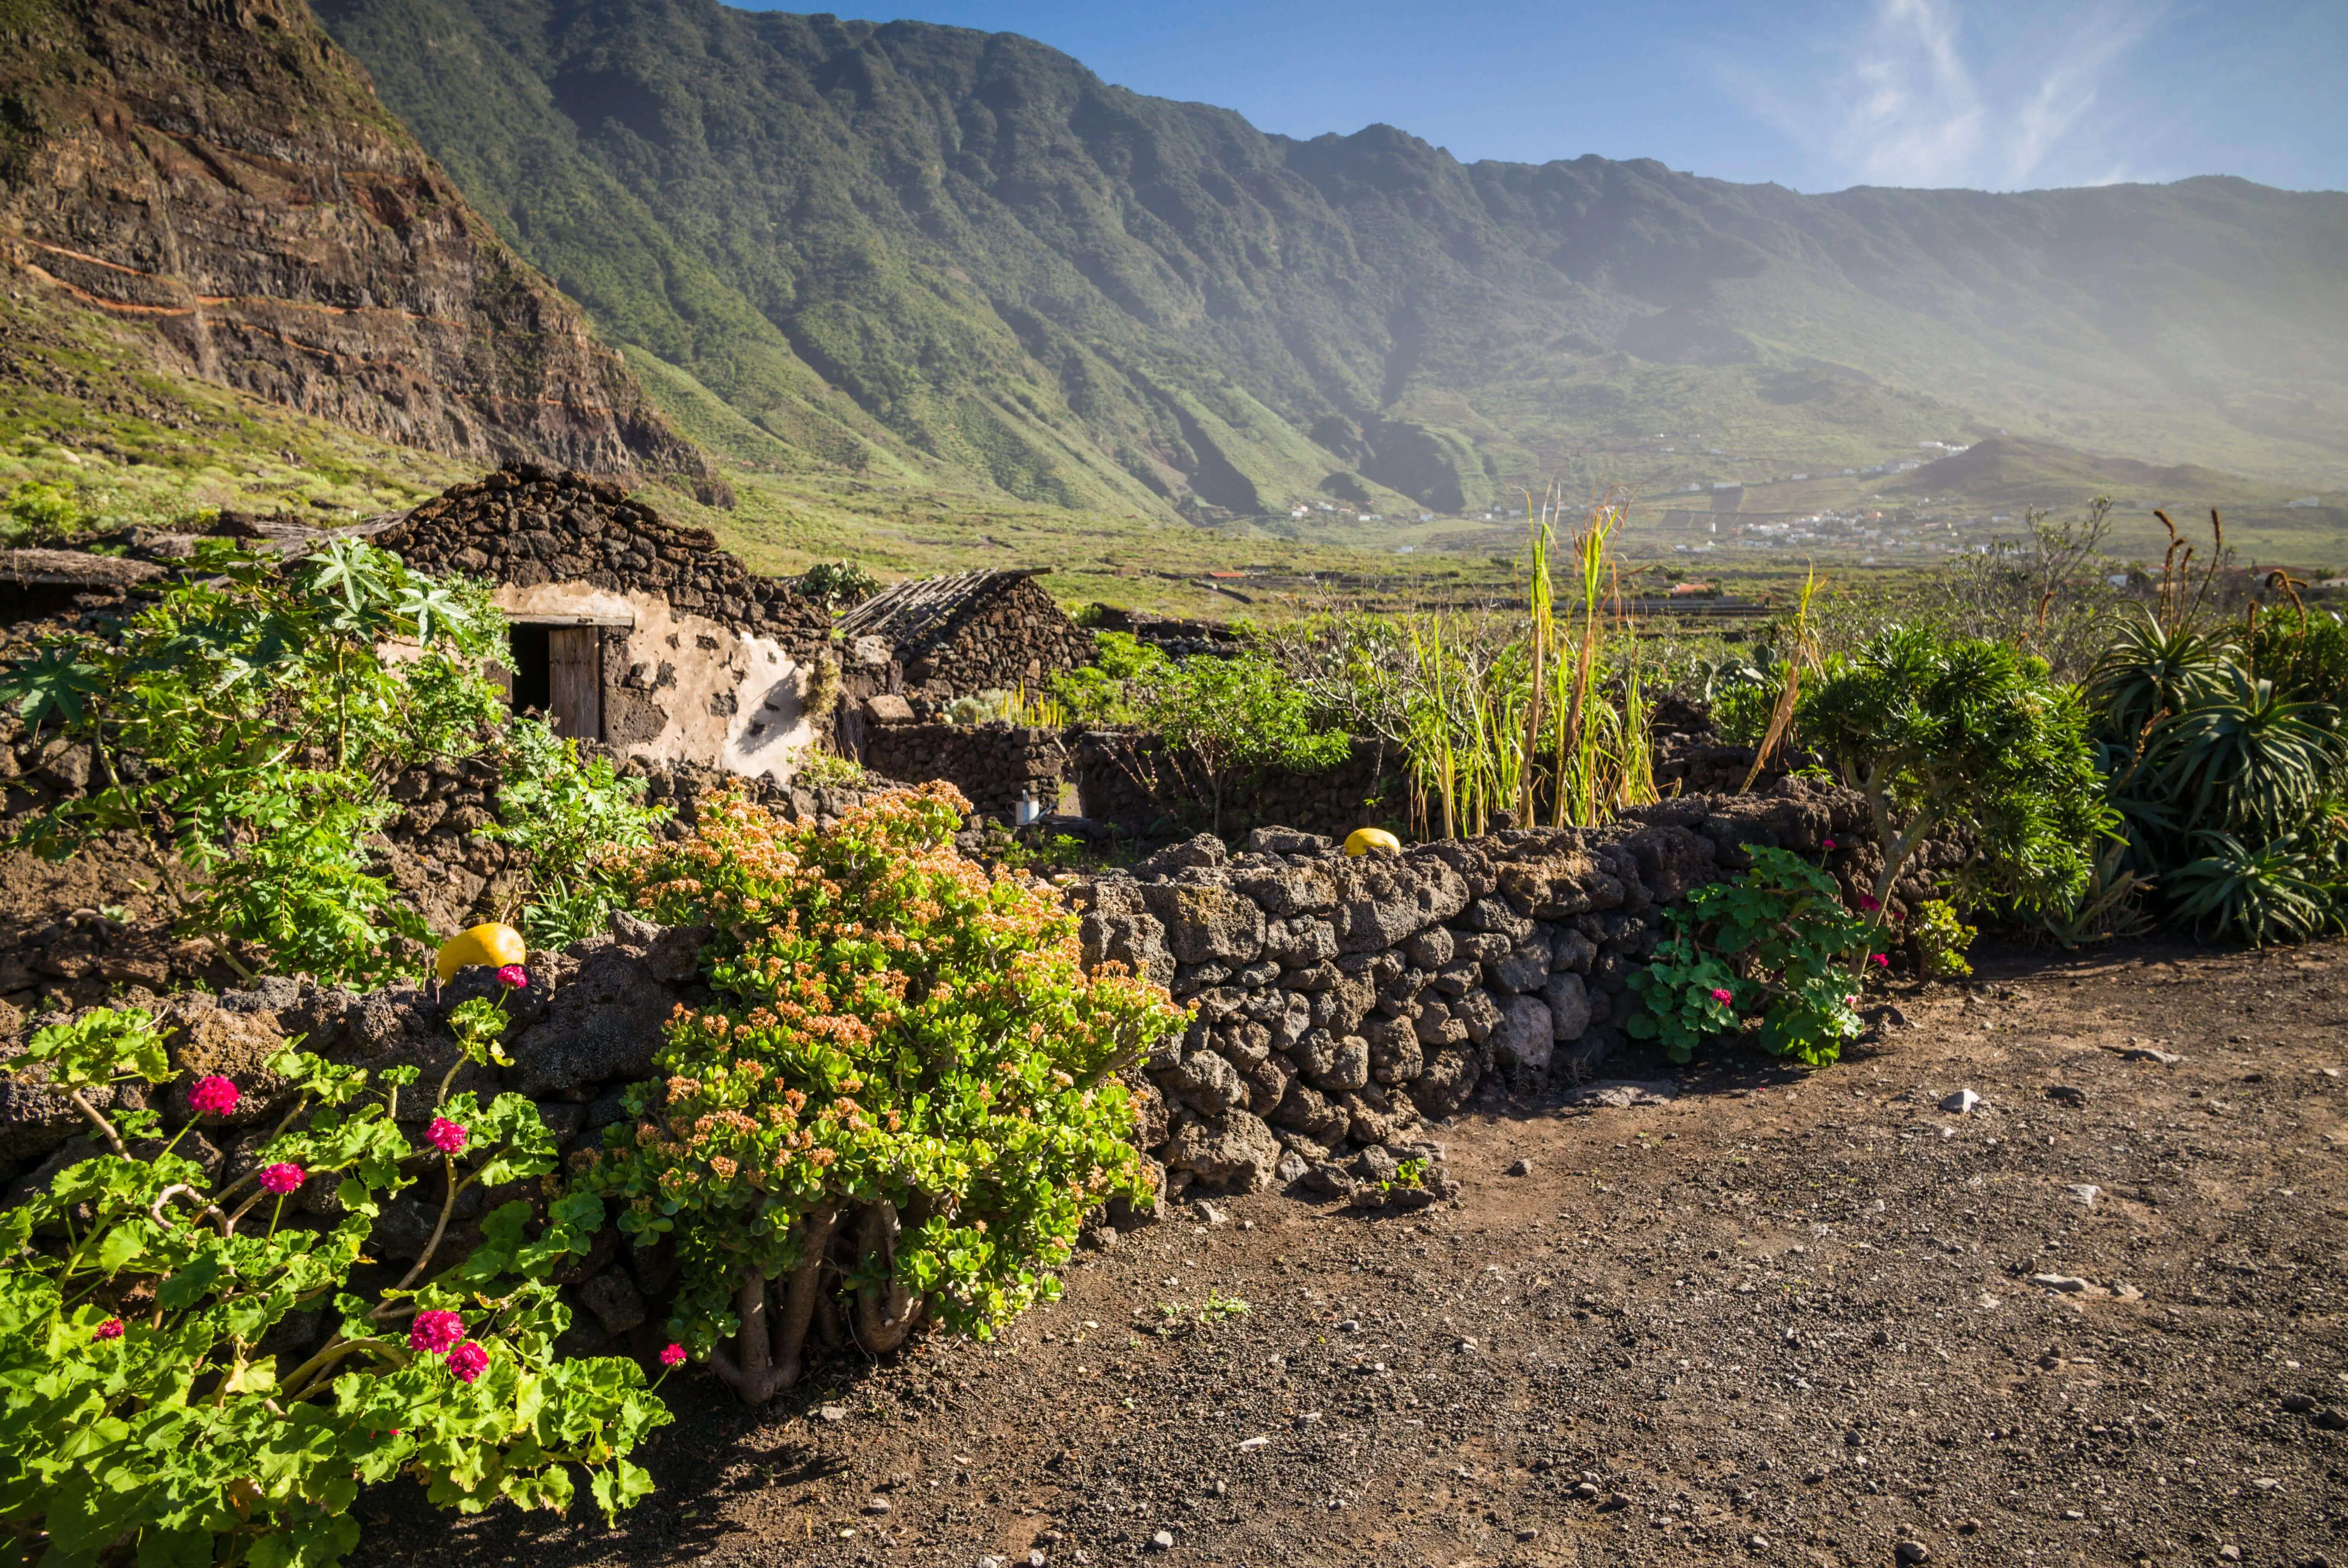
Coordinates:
(628, 628)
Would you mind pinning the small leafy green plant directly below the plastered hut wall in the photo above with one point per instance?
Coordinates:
(560, 816)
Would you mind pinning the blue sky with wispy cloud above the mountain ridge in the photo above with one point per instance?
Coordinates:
(1816, 95)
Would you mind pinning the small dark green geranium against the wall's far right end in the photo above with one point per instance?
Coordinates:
(1776, 952)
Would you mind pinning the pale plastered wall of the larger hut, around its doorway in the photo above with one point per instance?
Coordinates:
(729, 698)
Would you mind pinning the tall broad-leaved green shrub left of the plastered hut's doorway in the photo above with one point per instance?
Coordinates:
(243, 731)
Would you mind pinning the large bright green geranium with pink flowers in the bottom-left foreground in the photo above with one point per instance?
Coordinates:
(147, 1410)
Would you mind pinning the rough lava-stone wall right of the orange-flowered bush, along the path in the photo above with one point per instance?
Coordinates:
(1344, 1003)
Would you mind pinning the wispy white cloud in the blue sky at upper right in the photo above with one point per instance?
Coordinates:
(1915, 97)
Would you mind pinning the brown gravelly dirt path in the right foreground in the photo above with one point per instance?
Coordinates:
(1779, 1320)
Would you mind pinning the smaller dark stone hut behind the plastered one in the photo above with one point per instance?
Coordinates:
(936, 640)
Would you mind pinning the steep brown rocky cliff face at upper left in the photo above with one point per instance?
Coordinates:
(222, 175)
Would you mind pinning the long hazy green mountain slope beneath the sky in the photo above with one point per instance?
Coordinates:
(926, 255)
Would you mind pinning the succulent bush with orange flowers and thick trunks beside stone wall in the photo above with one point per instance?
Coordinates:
(905, 1102)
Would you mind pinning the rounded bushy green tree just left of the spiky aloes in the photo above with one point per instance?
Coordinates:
(1945, 731)
